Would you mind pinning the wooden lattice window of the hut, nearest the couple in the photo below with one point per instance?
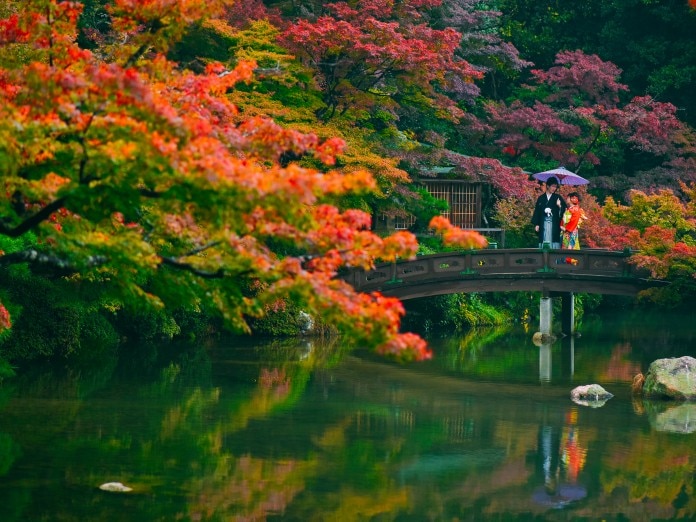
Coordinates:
(464, 200)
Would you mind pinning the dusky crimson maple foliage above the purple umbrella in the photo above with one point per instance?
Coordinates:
(575, 115)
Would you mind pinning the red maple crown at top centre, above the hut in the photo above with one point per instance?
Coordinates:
(378, 49)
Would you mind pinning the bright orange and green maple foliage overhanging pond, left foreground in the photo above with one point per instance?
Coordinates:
(163, 193)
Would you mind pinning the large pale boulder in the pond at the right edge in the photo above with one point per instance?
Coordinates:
(673, 378)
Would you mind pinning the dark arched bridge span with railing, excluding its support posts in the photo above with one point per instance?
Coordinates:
(507, 270)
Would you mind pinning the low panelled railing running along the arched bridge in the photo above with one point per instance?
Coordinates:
(493, 262)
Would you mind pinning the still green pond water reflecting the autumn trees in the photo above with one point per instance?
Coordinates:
(303, 431)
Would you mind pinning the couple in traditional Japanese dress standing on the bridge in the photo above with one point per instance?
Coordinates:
(555, 221)
